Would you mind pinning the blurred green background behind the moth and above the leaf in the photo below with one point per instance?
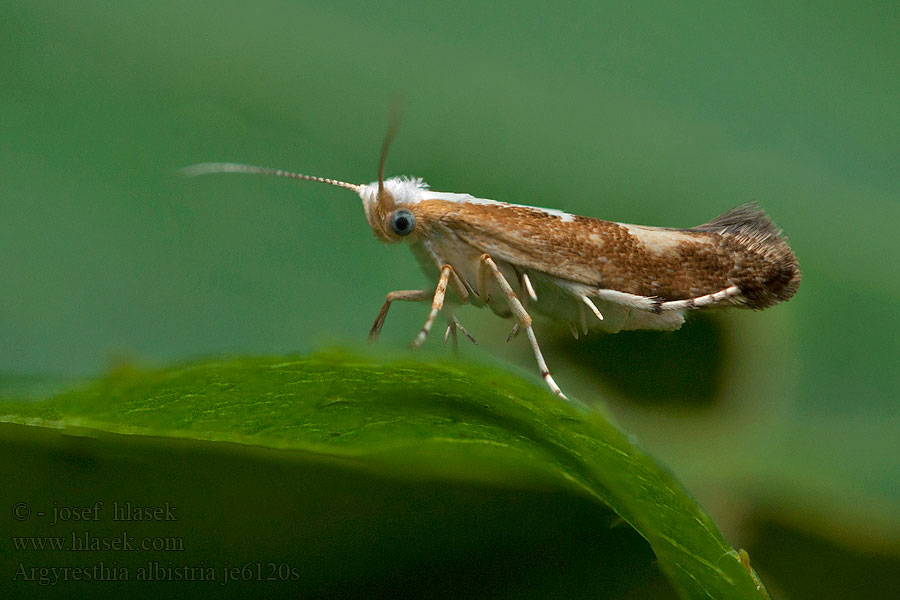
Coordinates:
(784, 424)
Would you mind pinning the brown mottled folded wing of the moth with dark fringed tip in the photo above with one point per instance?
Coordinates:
(741, 247)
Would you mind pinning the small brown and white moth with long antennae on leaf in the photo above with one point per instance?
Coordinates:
(592, 274)
